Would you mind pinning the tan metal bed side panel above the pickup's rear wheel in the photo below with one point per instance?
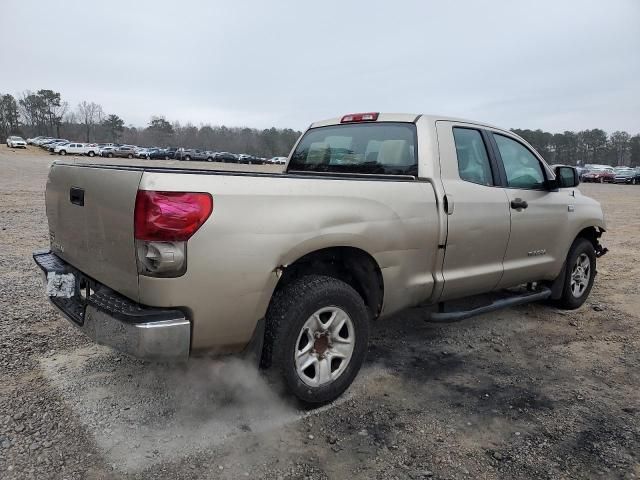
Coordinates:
(261, 223)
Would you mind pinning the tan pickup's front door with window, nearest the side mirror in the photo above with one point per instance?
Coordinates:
(539, 216)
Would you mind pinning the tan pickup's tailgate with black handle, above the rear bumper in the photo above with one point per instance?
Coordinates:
(90, 213)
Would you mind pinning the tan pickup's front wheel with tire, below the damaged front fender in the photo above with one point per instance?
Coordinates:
(574, 296)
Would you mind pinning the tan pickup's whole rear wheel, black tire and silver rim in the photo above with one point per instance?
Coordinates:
(339, 350)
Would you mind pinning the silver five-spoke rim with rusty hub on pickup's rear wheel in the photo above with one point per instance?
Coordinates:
(324, 346)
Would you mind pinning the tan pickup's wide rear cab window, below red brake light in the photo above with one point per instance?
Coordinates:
(376, 148)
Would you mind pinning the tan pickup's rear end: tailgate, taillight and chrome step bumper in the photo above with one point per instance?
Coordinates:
(103, 233)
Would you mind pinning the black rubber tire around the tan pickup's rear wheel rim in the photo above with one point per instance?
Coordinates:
(290, 309)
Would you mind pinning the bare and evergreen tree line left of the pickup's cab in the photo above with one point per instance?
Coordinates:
(44, 112)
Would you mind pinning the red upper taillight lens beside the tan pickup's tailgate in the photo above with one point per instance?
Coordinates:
(170, 216)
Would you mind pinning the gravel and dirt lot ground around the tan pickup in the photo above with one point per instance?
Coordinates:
(528, 392)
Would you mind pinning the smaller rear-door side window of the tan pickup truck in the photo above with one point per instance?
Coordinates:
(473, 161)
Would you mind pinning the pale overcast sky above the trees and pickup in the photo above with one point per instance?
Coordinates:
(551, 64)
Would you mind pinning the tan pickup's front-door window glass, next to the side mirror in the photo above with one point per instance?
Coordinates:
(522, 168)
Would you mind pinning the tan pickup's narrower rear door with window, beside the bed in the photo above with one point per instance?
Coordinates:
(478, 219)
